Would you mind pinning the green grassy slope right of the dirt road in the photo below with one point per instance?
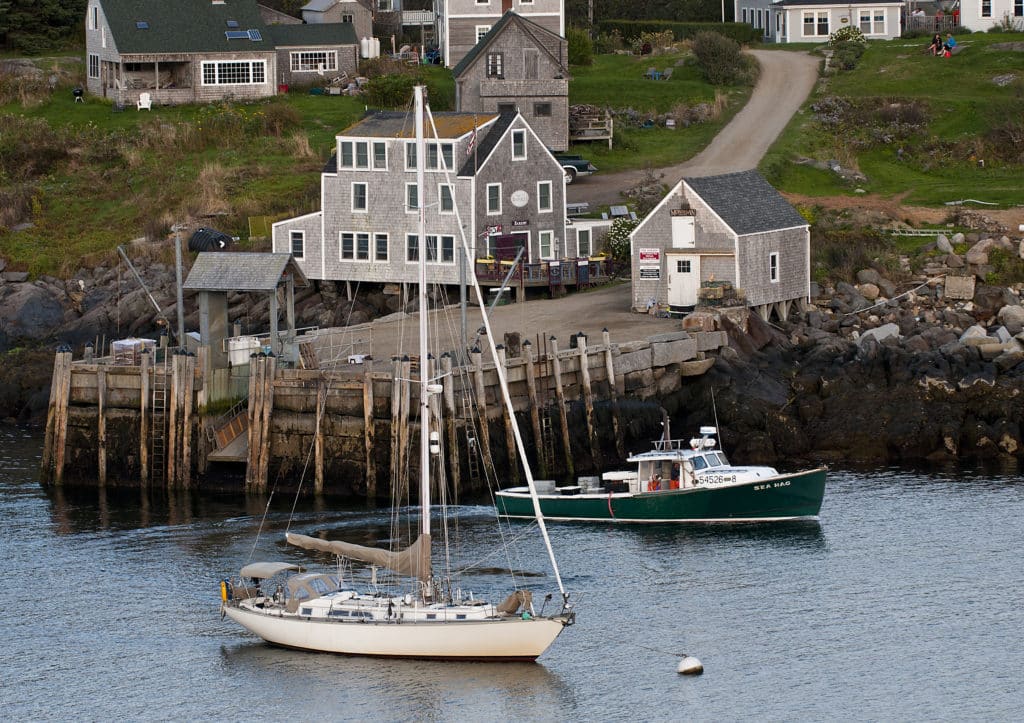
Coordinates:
(924, 130)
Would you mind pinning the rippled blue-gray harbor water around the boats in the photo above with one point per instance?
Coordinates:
(904, 603)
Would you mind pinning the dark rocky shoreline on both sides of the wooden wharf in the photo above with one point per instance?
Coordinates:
(928, 370)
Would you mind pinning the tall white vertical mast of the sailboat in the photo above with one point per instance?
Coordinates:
(421, 160)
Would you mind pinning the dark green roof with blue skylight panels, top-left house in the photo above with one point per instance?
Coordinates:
(185, 26)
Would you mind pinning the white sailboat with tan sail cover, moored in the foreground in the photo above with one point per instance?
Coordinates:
(320, 613)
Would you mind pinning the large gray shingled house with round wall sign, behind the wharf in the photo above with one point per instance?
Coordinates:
(508, 189)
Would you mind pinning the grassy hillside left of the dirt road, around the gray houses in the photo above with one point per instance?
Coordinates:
(89, 179)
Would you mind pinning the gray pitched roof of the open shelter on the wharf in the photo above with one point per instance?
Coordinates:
(224, 271)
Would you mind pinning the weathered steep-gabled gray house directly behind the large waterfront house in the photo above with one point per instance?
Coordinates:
(519, 65)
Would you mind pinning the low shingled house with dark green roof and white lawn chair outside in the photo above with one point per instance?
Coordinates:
(204, 51)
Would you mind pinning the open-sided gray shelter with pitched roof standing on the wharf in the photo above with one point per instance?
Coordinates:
(216, 274)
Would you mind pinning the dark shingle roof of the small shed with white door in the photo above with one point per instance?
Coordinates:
(747, 202)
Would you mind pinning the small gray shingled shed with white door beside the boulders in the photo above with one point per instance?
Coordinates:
(734, 228)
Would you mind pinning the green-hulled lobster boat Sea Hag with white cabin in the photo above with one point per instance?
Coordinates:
(677, 482)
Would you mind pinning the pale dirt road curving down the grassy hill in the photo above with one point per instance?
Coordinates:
(787, 79)
